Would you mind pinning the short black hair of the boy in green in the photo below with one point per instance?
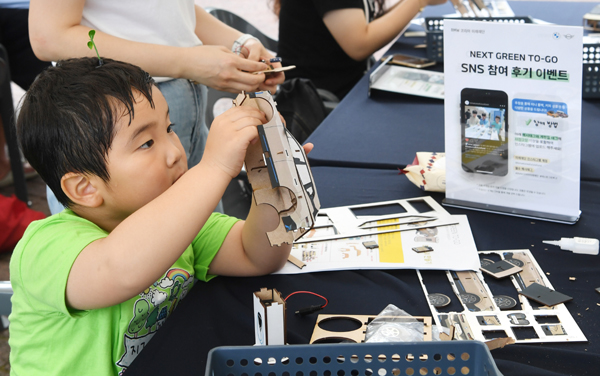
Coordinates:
(67, 120)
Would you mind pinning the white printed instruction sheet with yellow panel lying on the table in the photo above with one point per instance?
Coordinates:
(453, 245)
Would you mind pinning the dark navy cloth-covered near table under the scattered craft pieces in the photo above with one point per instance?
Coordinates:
(220, 312)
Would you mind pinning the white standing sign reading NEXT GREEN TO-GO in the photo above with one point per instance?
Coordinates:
(513, 118)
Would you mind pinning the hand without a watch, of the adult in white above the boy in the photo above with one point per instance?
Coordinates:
(221, 69)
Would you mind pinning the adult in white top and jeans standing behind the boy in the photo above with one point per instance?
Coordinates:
(182, 46)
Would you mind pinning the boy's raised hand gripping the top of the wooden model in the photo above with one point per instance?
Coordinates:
(229, 137)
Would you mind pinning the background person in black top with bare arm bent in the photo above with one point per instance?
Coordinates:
(331, 41)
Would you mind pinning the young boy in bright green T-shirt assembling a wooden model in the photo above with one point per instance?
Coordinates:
(93, 283)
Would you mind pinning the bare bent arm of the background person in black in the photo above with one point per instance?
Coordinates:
(360, 39)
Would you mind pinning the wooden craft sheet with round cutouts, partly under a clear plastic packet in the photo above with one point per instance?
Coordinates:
(358, 335)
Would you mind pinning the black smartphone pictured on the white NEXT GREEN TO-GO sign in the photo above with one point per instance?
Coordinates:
(484, 128)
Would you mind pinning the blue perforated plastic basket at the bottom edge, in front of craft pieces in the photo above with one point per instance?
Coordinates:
(377, 359)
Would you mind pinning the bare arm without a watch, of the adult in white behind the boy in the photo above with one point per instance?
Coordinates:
(56, 33)
